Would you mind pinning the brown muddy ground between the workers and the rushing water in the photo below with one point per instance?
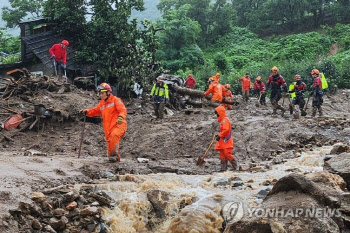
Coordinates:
(171, 145)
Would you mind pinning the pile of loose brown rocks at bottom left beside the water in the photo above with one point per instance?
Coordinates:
(63, 209)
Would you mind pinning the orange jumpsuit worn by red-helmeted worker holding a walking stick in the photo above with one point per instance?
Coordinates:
(110, 110)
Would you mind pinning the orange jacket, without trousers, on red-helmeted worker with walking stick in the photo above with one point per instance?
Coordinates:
(110, 110)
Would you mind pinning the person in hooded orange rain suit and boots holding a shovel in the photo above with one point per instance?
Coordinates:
(224, 140)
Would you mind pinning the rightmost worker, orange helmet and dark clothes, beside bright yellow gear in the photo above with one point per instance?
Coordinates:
(316, 93)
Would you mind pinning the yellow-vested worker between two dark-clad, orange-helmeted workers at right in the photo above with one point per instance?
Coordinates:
(298, 90)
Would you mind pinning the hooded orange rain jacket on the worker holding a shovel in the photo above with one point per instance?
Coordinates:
(226, 139)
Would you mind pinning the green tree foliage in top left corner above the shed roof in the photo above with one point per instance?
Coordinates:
(20, 9)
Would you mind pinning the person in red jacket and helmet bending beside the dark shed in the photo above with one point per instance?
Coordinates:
(58, 55)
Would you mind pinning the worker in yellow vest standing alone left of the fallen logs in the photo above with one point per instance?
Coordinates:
(160, 95)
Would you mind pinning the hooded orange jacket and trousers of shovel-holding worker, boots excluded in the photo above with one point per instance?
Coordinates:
(225, 144)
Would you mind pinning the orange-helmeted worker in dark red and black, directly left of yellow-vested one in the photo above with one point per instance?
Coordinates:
(277, 83)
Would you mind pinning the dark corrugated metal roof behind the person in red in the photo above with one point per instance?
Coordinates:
(40, 44)
